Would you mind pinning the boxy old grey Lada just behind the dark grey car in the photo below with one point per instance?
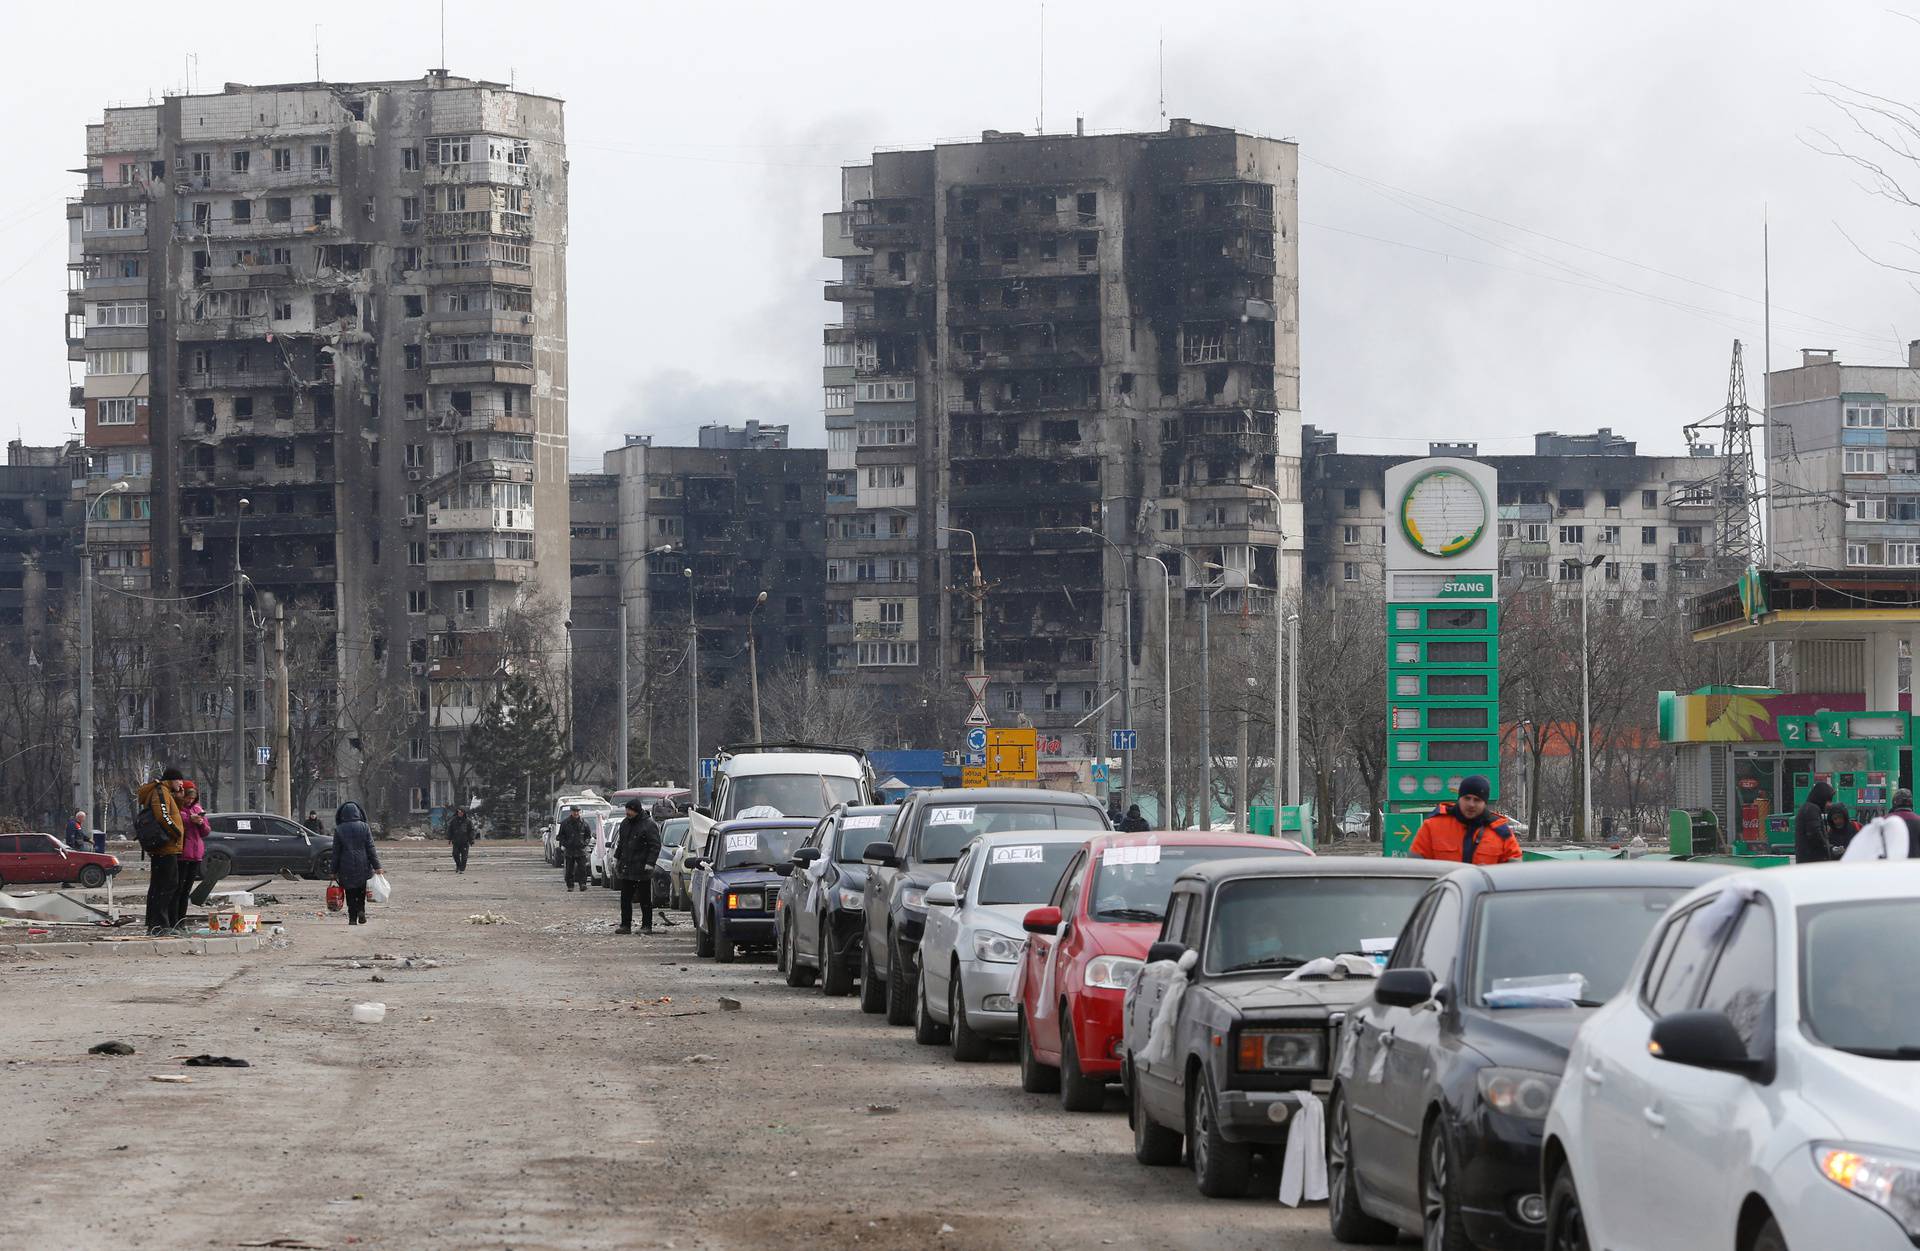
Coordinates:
(1247, 1035)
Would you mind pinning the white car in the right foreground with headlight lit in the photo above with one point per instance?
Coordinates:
(1756, 1087)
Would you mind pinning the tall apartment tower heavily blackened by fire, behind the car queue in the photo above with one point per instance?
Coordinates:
(1047, 335)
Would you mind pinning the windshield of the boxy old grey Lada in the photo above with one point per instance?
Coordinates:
(1285, 922)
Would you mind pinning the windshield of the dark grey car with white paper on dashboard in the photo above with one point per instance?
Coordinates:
(1562, 949)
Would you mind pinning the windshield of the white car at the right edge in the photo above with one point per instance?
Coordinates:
(1852, 997)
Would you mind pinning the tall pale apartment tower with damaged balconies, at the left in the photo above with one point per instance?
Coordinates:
(325, 325)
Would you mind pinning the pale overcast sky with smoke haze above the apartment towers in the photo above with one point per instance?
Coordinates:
(1514, 216)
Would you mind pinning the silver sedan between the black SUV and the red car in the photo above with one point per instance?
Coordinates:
(972, 943)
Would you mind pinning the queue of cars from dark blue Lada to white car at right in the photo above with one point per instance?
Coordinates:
(1740, 1049)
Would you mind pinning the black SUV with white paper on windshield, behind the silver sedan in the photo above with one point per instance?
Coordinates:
(928, 838)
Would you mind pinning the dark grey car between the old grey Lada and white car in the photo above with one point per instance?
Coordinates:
(1445, 1075)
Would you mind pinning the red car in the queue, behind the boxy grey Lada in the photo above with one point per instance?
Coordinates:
(1086, 949)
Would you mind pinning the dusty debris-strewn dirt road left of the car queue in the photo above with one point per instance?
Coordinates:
(531, 1091)
